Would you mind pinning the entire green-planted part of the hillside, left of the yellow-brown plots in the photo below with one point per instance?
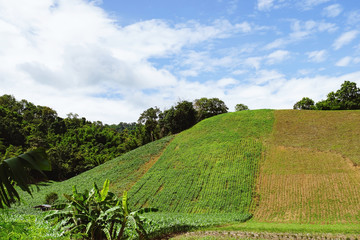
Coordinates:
(211, 167)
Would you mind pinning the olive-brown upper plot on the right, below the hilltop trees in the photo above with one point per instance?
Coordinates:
(336, 131)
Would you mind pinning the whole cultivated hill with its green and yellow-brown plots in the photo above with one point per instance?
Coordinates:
(288, 167)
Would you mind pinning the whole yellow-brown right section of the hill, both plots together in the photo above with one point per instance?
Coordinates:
(309, 174)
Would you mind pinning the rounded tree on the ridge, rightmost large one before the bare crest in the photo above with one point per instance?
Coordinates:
(208, 107)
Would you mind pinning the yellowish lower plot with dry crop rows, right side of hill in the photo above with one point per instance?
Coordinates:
(302, 186)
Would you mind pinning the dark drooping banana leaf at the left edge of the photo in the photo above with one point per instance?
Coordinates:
(13, 171)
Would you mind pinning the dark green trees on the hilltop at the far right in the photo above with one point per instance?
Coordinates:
(346, 98)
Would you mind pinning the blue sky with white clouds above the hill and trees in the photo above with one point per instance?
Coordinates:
(110, 60)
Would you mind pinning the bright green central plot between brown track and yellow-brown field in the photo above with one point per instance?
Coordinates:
(210, 168)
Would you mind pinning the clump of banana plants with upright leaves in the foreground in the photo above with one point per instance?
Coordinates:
(98, 214)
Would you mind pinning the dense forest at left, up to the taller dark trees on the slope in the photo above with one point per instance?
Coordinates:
(73, 144)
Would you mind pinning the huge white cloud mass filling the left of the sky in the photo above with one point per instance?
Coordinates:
(71, 56)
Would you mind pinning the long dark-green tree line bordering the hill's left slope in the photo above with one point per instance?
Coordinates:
(74, 144)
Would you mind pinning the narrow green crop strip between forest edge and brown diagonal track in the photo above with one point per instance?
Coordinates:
(122, 172)
